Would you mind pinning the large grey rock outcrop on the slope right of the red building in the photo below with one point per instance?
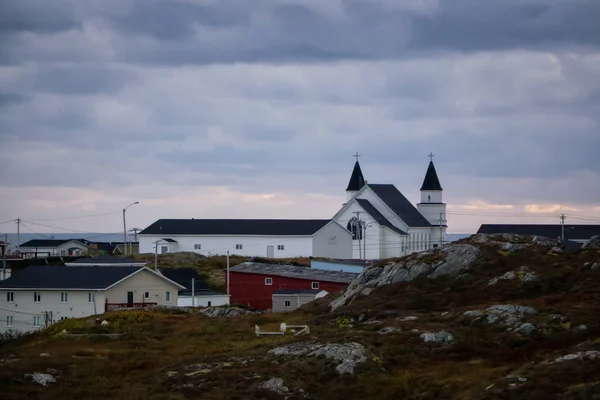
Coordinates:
(450, 260)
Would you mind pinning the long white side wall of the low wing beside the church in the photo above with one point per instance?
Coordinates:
(251, 246)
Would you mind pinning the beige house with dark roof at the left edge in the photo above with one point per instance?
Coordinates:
(41, 295)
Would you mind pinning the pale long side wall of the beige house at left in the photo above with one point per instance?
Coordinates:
(24, 309)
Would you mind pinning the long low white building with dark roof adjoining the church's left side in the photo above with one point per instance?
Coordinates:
(272, 238)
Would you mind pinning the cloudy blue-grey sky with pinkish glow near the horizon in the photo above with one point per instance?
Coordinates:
(253, 108)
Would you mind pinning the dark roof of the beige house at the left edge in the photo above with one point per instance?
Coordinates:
(48, 277)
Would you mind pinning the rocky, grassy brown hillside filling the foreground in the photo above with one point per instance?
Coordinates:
(488, 317)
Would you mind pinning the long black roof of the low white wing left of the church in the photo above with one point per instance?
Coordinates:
(274, 227)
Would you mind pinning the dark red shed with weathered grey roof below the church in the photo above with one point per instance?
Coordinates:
(253, 284)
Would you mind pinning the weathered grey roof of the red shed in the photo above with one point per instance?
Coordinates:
(290, 271)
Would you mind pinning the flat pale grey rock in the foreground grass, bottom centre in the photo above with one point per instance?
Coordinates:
(348, 355)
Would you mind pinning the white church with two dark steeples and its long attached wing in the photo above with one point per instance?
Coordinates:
(375, 222)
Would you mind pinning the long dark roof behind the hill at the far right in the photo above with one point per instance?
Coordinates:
(551, 231)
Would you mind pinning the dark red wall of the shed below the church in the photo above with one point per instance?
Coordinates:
(250, 289)
